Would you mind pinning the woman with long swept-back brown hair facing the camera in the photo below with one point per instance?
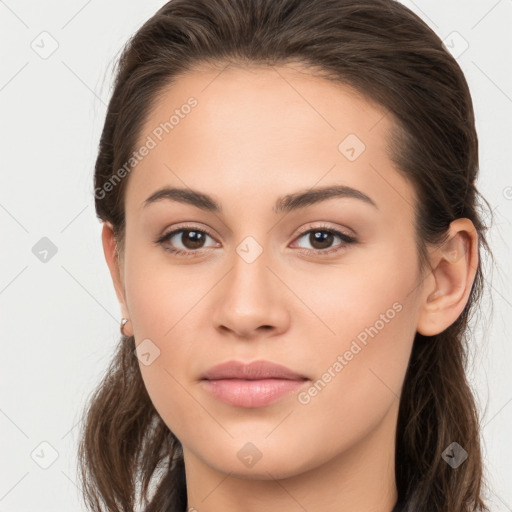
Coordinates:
(291, 222)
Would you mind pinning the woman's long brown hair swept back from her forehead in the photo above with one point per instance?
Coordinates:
(388, 54)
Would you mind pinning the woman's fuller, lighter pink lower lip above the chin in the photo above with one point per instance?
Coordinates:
(250, 393)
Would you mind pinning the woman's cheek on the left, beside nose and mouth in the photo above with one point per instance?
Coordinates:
(161, 300)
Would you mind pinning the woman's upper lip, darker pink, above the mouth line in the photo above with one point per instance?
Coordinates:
(251, 371)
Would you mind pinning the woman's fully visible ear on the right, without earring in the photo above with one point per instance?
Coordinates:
(447, 289)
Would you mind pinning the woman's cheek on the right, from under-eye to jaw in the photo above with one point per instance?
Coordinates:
(371, 312)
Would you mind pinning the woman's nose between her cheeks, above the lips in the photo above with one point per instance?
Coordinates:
(250, 300)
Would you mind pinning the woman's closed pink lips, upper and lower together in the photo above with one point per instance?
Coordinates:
(251, 385)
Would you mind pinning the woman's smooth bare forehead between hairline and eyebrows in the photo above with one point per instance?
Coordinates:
(250, 132)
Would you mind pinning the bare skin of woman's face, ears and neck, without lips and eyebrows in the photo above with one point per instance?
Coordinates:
(255, 136)
